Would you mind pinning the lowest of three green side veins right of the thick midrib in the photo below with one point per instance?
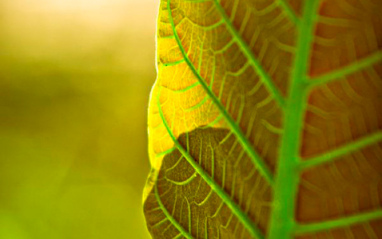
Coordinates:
(341, 222)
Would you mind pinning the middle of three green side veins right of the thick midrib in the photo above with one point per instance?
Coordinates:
(344, 150)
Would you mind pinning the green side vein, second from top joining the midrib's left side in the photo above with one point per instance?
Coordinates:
(249, 54)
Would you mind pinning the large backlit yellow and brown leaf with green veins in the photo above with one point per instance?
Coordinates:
(264, 121)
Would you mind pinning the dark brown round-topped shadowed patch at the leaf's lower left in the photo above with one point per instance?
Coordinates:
(196, 201)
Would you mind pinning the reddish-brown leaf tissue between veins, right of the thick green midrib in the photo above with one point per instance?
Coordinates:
(341, 112)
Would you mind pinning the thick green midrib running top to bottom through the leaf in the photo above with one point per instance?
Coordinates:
(286, 181)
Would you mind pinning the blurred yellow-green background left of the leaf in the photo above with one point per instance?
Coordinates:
(75, 77)
